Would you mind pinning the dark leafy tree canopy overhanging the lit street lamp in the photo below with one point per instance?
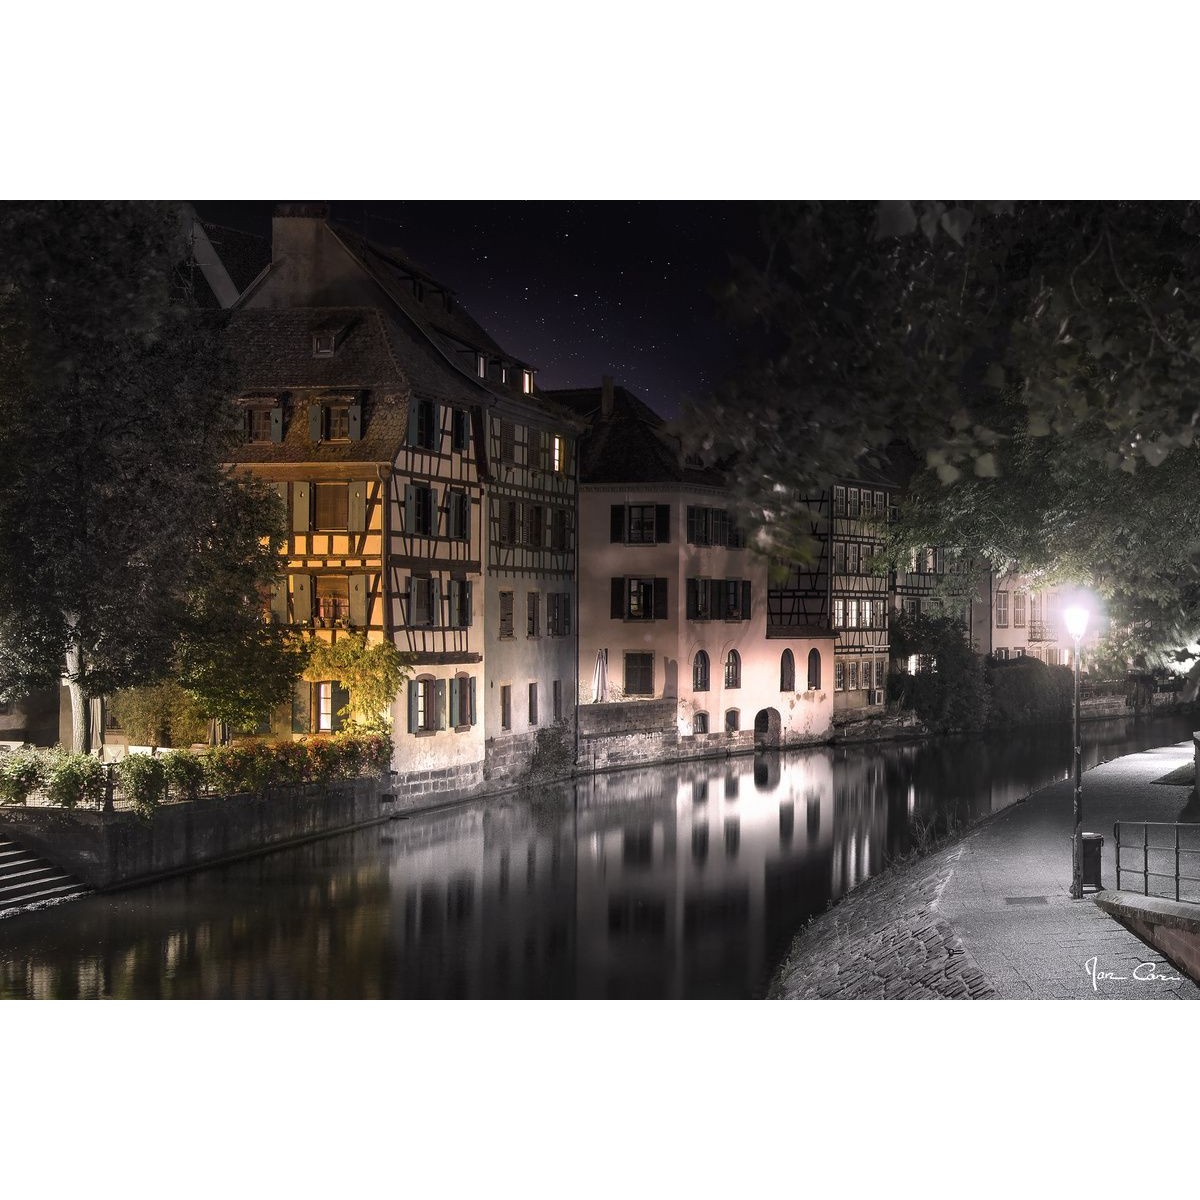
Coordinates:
(1041, 362)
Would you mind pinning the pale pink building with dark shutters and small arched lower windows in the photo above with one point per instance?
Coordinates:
(675, 602)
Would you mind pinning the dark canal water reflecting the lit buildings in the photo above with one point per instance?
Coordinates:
(683, 881)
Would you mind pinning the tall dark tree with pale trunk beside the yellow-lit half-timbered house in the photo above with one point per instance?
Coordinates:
(125, 548)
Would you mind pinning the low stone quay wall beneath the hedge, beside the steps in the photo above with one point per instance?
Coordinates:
(107, 850)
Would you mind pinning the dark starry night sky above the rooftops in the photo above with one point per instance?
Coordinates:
(579, 290)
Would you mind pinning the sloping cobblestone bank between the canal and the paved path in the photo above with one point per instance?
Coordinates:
(886, 941)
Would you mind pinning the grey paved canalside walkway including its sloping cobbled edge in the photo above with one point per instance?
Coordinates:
(992, 915)
